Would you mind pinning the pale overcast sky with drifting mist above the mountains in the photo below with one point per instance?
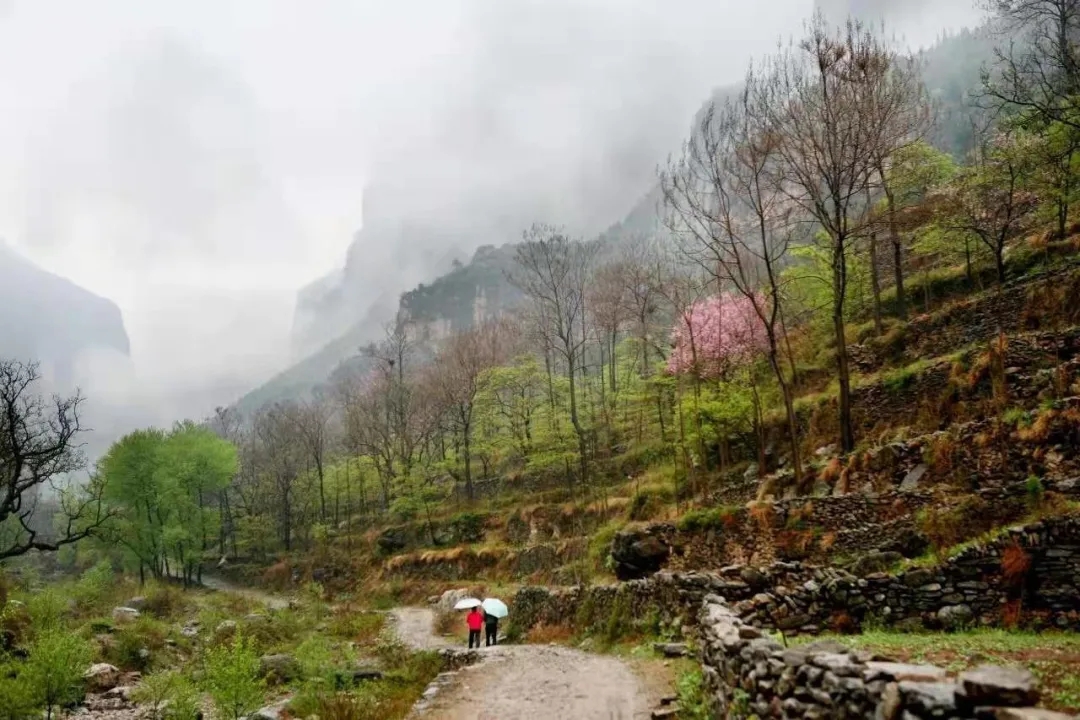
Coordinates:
(199, 161)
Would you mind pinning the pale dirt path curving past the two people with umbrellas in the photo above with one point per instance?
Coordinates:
(530, 683)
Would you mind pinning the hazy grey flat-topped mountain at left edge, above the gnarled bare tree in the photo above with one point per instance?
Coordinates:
(51, 320)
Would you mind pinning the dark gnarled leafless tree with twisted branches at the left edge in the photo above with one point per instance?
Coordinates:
(38, 451)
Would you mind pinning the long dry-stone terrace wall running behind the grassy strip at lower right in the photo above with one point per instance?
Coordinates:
(971, 589)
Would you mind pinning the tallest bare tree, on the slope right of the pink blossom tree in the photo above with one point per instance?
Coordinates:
(819, 100)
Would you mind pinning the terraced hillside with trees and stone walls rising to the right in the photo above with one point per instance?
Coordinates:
(829, 385)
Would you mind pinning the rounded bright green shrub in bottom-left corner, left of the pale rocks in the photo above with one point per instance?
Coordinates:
(56, 668)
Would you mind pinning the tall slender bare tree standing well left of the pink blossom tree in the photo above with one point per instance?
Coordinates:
(553, 273)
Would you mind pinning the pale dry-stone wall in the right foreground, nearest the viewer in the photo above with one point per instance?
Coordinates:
(747, 674)
